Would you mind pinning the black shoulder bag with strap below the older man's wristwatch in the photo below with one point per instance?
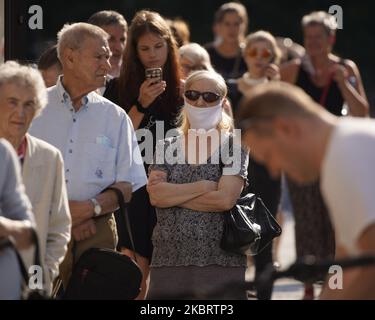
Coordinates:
(104, 274)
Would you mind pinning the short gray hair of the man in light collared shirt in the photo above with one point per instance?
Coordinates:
(72, 36)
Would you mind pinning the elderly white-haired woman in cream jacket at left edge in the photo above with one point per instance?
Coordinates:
(23, 95)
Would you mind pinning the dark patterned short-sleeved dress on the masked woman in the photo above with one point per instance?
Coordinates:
(186, 242)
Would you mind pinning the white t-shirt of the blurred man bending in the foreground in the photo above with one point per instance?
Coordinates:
(348, 180)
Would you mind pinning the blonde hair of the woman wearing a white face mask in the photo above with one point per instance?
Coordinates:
(226, 122)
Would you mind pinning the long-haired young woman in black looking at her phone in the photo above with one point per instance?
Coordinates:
(150, 44)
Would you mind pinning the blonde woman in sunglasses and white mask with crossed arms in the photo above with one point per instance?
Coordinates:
(191, 196)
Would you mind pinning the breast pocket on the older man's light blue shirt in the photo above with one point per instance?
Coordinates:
(100, 167)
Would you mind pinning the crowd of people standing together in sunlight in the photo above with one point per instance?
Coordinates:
(91, 117)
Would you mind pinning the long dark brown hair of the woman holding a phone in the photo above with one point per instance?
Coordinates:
(132, 72)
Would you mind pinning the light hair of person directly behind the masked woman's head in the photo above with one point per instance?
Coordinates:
(197, 55)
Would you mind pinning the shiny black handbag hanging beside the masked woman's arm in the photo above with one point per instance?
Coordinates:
(249, 226)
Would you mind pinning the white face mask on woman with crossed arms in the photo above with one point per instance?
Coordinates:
(204, 118)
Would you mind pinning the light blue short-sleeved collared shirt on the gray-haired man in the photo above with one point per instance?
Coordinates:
(97, 142)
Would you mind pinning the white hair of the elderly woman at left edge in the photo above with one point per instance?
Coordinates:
(11, 72)
